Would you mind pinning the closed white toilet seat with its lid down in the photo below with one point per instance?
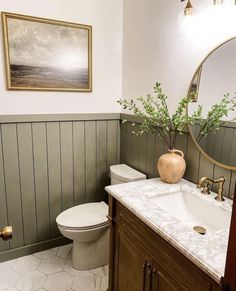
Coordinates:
(84, 217)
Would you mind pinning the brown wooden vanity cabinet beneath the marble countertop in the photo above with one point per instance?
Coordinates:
(141, 260)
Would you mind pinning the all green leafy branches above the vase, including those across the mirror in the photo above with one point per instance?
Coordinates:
(156, 118)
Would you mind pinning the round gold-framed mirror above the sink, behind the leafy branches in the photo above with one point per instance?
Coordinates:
(214, 79)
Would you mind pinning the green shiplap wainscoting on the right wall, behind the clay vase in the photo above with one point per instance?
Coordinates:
(142, 153)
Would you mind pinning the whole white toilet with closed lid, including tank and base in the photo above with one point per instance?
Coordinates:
(87, 225)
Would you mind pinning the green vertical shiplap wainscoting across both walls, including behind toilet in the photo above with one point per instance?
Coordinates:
(49, 163)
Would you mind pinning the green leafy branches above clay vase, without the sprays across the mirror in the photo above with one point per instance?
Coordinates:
(156, 116)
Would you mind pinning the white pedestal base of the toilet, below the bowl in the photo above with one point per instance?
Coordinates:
(91, 255)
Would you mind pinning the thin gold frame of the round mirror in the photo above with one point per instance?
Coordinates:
(227, 167)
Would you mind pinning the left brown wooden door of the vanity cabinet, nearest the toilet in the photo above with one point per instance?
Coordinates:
(134, 264)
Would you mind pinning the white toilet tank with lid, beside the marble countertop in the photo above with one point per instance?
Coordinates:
(123, 174)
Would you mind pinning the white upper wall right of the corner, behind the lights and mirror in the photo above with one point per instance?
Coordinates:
(159, 44)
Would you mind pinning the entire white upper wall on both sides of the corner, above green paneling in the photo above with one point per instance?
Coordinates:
(157, 46)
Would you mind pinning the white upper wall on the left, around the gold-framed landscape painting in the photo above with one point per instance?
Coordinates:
(105, 16)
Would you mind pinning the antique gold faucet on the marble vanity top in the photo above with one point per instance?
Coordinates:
(205, 182)
